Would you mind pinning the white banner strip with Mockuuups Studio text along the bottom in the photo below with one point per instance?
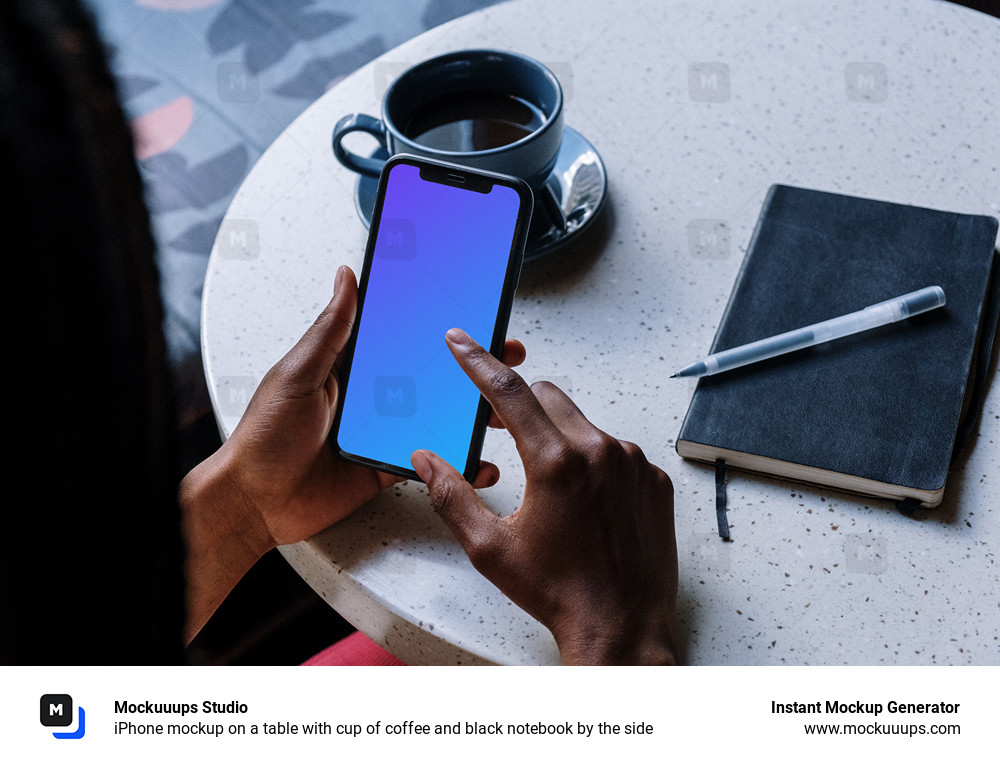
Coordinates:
(315, 715)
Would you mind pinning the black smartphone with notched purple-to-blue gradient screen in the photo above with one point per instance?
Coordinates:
(444, 250)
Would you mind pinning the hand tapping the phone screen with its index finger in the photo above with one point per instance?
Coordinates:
(590, 552)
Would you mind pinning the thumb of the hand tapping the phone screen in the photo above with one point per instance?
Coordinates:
(477, 528)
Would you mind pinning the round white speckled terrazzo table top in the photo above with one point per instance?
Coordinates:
(696, 109)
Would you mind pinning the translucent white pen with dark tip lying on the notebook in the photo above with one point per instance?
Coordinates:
(874, 316)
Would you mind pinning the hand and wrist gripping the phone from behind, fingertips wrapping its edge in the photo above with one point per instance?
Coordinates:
(276, 480)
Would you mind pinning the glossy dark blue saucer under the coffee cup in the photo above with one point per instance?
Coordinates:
(568, 203)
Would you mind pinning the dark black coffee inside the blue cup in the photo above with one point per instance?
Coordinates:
(471, 121)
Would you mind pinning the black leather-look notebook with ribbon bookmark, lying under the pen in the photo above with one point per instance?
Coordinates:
(878, 412)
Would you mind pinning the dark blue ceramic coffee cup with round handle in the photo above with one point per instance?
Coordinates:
(493, 110)
